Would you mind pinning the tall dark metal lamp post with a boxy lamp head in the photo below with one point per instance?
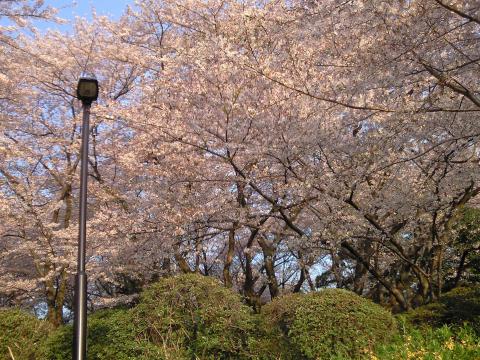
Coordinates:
(87, 92)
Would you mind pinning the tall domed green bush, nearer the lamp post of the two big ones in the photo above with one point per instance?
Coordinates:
(197, 315)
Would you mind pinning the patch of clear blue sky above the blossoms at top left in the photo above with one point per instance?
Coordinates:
(69, 9)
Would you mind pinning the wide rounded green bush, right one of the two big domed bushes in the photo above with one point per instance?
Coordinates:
(331, 323)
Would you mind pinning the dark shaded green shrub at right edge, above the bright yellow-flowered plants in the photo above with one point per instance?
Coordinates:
(461, 305)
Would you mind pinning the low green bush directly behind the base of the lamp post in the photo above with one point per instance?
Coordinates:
(111, 335)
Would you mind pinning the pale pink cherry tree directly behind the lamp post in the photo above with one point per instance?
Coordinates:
(39, 164)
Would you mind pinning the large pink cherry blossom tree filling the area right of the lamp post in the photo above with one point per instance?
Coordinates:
(349, 160)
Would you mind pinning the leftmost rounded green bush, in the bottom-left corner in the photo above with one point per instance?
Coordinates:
(21, 333)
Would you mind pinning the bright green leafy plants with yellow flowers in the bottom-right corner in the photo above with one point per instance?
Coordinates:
(426, 343)
